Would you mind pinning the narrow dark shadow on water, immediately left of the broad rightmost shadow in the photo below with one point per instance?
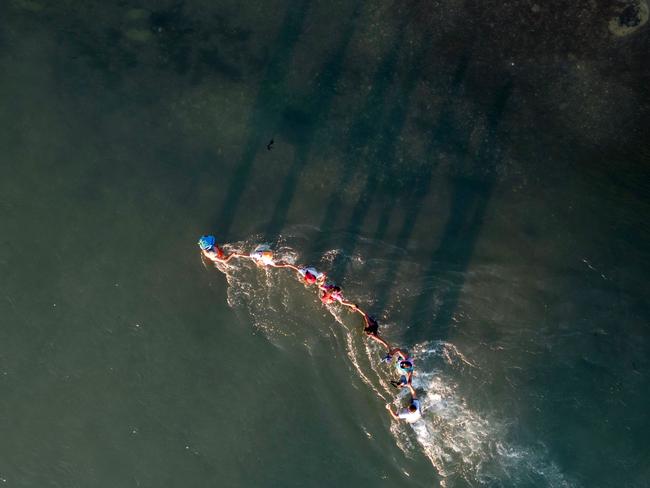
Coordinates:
(420, 187)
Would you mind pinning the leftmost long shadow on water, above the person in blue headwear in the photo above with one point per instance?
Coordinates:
(265, 110)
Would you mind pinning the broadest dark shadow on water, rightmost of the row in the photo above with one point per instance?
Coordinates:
(469, 201)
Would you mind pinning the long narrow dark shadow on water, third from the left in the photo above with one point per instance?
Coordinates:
(362, 133)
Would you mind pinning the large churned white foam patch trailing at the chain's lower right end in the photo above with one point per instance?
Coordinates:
(461, 443)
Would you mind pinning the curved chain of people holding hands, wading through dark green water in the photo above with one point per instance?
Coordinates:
(330, 293)
